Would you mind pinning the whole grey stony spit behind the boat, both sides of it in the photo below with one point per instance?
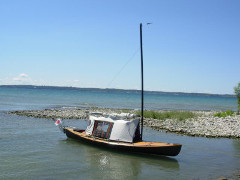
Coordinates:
(204, 124)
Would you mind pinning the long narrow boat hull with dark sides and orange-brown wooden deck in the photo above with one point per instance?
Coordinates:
(156, 148)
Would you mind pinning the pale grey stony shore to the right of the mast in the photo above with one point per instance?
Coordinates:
(203, 125)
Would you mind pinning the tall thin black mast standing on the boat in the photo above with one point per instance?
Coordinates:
(142, 97)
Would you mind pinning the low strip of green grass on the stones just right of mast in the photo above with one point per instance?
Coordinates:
(179, 115)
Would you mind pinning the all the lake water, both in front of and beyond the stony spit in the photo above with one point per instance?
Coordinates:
(33, 148)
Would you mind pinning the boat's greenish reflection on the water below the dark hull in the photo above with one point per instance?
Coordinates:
(118, 165)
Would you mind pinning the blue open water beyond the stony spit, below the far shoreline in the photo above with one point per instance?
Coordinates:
(42, 97)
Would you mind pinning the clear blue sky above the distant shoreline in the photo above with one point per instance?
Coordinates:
(192, 45)
